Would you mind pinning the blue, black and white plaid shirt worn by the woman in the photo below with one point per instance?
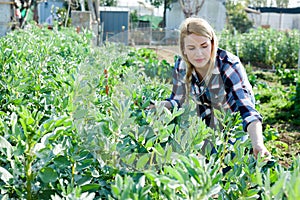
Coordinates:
(227, 88)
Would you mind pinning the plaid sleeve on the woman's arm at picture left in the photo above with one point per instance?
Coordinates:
(177, 96)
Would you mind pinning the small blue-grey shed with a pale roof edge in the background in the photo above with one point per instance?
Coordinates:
(115, 24)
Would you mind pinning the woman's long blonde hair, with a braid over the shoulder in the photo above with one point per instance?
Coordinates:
(201, 27)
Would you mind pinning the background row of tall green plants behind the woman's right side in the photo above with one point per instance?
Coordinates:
(264, 47)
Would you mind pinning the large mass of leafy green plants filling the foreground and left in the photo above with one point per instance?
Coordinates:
(73, 125)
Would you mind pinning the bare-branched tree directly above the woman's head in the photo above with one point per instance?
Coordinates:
(191, 7)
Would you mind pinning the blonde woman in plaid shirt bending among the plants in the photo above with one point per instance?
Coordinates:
(215, 79)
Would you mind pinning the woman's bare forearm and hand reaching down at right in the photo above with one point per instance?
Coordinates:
(255, 131)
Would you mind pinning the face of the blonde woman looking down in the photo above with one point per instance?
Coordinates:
(198, 51)
